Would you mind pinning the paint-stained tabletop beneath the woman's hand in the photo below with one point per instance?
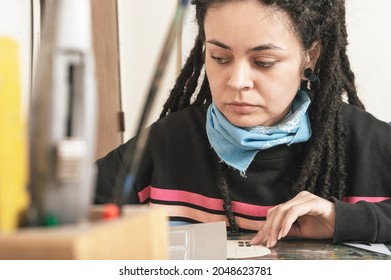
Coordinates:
(304, 249)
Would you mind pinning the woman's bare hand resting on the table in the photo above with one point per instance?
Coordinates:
(306, 215)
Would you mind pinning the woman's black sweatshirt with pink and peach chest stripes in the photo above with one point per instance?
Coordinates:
(179, 172)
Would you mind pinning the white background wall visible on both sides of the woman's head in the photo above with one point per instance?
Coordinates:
(143, 25)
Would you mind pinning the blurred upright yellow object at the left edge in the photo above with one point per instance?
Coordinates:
(13, 140)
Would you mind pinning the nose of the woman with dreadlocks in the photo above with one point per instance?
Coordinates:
(240, 78)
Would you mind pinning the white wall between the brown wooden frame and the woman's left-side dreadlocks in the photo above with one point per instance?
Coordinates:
(143, 25)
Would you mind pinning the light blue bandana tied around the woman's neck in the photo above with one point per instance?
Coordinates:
(237, 146)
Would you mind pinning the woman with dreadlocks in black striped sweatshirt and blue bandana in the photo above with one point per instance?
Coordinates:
(267, 143)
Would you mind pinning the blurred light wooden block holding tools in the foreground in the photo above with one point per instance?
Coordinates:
(140, 233)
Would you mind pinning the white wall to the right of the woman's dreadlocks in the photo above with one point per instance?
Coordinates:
(370, 44)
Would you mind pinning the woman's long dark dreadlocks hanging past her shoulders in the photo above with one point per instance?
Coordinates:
(323, 171)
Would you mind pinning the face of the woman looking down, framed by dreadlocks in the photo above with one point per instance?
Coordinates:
(253, 61)
